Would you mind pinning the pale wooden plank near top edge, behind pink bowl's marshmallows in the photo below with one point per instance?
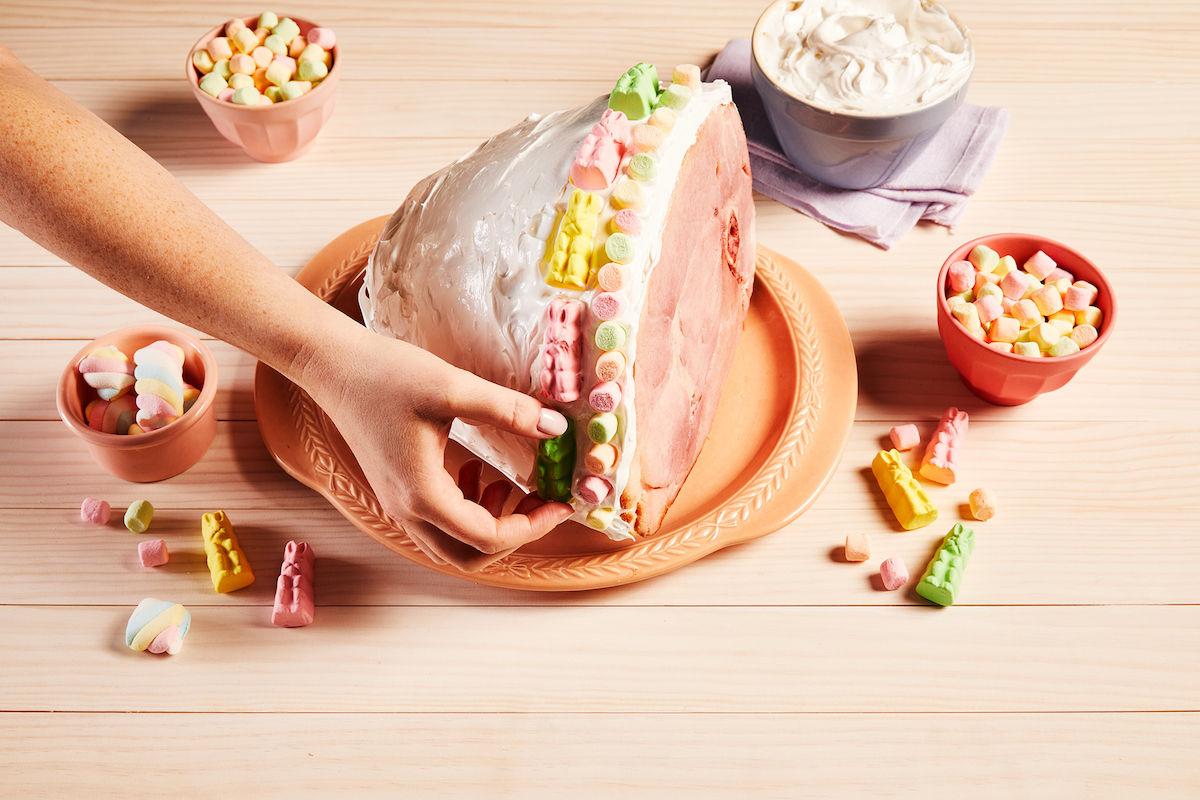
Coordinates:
(404, 55)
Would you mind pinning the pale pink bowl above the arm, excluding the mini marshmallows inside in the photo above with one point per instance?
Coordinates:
(273, 134)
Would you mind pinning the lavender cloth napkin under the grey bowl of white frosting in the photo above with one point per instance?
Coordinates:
(934, 188)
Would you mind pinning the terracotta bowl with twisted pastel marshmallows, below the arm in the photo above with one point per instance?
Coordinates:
(143, 401)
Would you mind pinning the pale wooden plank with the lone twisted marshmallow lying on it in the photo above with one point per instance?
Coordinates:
(614, 660)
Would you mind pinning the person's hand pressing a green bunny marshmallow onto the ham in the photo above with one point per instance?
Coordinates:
(394, 404)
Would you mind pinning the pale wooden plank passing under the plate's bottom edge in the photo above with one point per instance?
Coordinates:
(1024, 557)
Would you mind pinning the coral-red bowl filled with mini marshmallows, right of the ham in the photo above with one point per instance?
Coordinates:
(1021, 315)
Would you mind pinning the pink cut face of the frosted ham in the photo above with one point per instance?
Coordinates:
(698, 302)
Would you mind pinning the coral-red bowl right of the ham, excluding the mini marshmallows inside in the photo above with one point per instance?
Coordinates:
(1006, 378)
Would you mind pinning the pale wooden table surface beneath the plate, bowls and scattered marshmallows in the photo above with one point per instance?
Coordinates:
(1070, 669)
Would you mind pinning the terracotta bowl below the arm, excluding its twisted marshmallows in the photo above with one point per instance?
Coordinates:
(155, 455)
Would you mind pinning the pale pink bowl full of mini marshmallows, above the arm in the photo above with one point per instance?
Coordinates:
(269, 83)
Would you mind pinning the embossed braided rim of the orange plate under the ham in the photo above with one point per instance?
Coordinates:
(734, 522)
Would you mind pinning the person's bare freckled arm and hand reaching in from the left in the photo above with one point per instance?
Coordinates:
(81, 190)
